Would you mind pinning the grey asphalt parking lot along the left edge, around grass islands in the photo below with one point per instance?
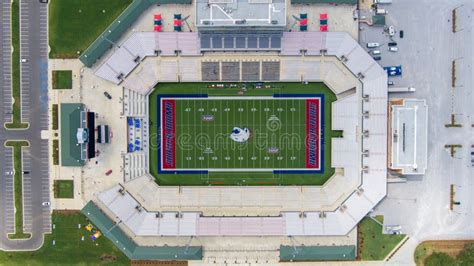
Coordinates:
(36, 187)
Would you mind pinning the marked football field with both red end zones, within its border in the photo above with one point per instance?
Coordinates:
(278, 138)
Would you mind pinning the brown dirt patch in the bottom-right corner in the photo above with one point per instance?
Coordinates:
(450, 247)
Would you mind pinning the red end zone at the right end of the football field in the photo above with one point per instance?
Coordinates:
(313, 134)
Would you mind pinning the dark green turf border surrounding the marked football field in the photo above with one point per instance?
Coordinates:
(237, 178)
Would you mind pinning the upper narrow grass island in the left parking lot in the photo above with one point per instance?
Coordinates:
(16, 90)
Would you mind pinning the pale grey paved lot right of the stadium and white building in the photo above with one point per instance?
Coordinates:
(421, 205)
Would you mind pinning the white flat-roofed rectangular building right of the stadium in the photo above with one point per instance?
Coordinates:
(408, 137)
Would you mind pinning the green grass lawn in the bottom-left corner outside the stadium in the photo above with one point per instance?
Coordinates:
(69, 248)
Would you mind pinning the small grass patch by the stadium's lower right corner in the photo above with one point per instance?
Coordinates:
(373, 245)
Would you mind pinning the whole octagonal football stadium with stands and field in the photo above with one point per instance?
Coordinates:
(230, 131)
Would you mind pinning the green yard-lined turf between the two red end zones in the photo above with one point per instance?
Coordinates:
(273, 123)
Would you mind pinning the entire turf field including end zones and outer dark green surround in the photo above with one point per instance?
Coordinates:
(285, 134)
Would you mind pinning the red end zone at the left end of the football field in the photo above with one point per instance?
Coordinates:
(169, 134)
